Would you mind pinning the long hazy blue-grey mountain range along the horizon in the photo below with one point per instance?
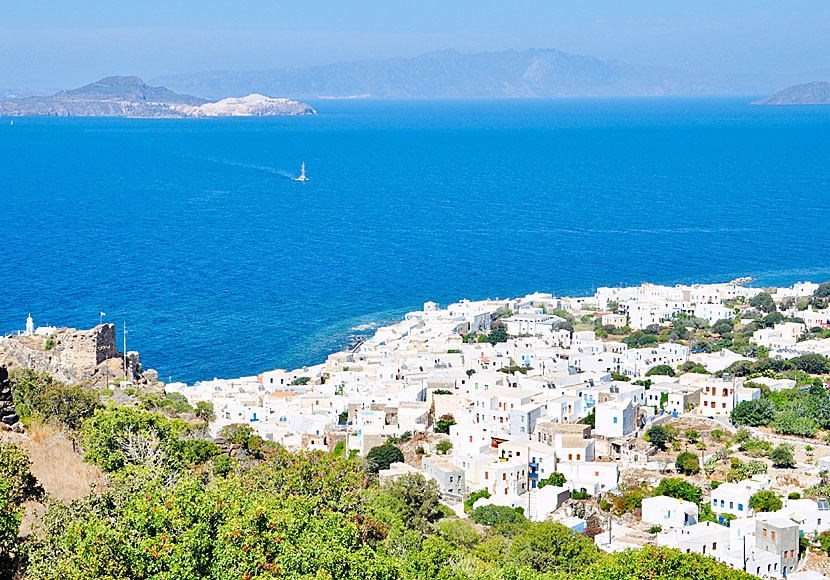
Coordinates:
(450, 74)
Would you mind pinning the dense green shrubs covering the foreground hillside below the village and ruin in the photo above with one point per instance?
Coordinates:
(175, 506)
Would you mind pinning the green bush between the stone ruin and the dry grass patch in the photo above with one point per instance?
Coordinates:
(39, 395)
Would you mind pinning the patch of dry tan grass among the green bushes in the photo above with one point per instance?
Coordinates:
(58, 467)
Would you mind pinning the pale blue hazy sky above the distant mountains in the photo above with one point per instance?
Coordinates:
(59, 44)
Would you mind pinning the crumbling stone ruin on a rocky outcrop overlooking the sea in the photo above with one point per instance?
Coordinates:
(74, 356)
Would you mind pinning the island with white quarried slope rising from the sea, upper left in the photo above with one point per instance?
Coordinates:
(132, 97)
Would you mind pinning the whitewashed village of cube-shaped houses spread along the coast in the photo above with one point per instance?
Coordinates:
(607, 413)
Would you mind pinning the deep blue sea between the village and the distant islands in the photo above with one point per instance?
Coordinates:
(194, 234)
